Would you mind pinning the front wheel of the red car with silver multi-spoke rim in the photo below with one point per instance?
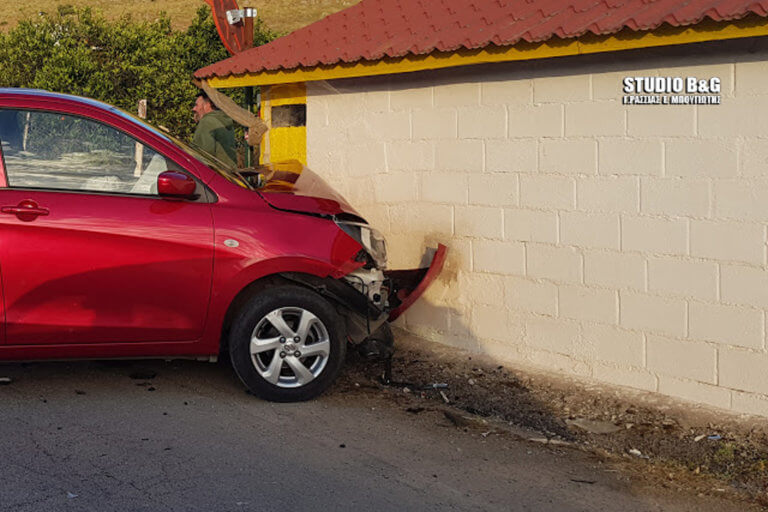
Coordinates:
(286, 344)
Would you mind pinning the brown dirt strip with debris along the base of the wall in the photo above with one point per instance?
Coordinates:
(660, 441)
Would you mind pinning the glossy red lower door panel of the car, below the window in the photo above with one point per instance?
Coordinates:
(123, 269)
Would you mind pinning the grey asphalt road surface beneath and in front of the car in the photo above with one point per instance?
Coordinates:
(86, 436)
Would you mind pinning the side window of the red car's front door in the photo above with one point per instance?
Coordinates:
(60, 151)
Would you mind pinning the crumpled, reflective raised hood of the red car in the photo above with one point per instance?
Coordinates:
(294, 187)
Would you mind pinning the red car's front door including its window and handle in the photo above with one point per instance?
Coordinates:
(89, 252)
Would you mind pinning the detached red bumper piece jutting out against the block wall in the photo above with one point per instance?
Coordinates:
(407, 286)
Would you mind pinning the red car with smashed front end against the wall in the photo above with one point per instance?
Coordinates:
(119, 241)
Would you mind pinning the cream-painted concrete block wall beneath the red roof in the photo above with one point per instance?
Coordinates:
(622, 243)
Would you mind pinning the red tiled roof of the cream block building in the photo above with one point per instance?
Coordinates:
(375, 29)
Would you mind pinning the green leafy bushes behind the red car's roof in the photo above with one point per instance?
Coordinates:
(77, 51)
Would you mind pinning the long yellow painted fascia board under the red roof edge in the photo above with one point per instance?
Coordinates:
(751, 26)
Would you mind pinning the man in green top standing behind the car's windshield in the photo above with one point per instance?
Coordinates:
(215, 132)
